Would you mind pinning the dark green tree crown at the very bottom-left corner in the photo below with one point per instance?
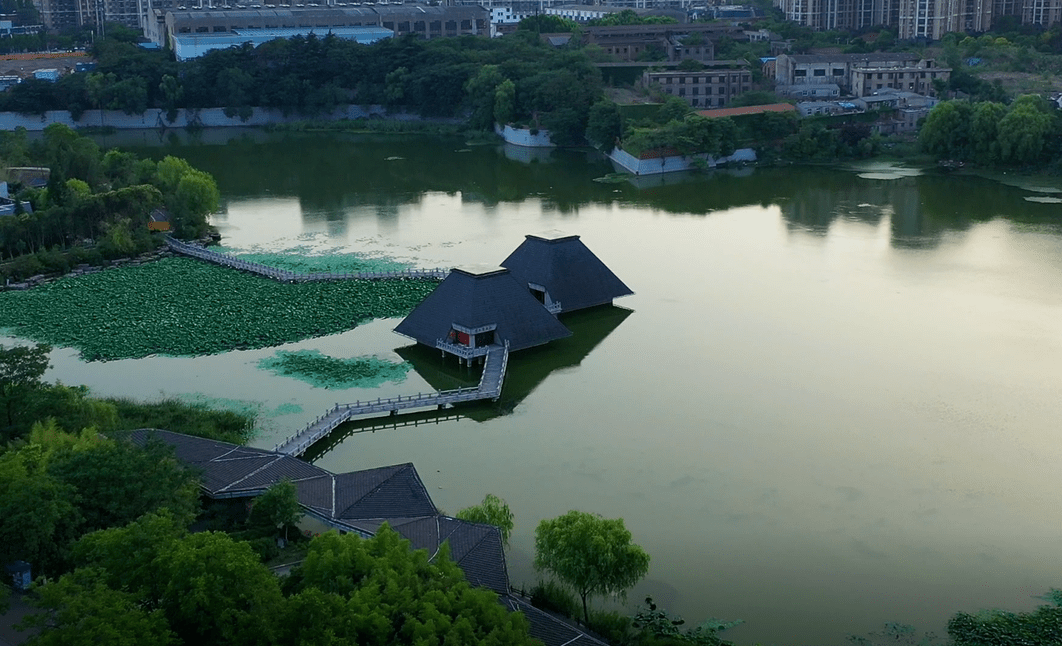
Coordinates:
(80, 610)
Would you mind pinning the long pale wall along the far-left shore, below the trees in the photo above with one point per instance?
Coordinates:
(213, 117)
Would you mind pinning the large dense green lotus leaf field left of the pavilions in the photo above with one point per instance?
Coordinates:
(185, 308)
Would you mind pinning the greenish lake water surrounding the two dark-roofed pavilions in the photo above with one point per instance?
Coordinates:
(833, 402)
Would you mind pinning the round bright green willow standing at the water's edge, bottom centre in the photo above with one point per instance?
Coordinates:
(594, 556)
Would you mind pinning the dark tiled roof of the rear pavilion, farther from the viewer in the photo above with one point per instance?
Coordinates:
(568, 269)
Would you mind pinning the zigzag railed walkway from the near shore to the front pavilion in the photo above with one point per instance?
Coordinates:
(490, 388)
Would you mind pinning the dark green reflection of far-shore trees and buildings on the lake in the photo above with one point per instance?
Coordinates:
(341, 177)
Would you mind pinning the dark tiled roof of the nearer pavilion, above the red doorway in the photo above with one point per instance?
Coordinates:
(476, 298)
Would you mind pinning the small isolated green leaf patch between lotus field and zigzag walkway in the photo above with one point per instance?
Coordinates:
(322, 371)
